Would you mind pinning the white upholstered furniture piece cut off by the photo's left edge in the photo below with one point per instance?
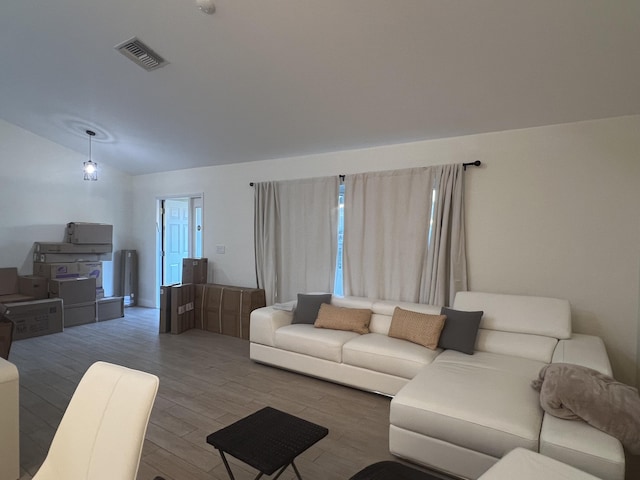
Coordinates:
(9, 424)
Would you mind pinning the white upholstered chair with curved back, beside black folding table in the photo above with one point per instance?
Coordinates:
(102, 431)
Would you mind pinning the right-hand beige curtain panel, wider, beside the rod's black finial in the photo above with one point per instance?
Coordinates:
(404, 235)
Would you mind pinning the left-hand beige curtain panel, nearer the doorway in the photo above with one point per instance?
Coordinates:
(295, 224)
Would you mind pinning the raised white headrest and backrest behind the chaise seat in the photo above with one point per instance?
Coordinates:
(518, 325)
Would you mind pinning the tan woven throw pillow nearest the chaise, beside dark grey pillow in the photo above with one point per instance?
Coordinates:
(421, 328)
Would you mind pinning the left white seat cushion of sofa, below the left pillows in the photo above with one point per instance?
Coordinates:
(316, 342)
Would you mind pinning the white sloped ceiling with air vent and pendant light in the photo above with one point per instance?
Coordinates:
(264, 79)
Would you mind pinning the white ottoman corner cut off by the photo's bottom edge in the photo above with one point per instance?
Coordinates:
(527, 465)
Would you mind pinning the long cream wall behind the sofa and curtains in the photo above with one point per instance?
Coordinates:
(553, 211)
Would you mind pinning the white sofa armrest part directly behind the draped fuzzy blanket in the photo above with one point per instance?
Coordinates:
(586, 350)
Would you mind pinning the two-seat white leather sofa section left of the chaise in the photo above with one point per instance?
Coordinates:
(374, 362)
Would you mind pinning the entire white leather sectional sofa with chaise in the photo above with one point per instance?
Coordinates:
(452, 411)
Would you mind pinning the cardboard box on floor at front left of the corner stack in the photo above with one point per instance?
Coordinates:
(35, 318)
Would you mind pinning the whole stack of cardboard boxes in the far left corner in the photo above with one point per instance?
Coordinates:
(66, 286)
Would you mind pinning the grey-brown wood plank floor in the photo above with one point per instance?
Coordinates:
(207, 381)
